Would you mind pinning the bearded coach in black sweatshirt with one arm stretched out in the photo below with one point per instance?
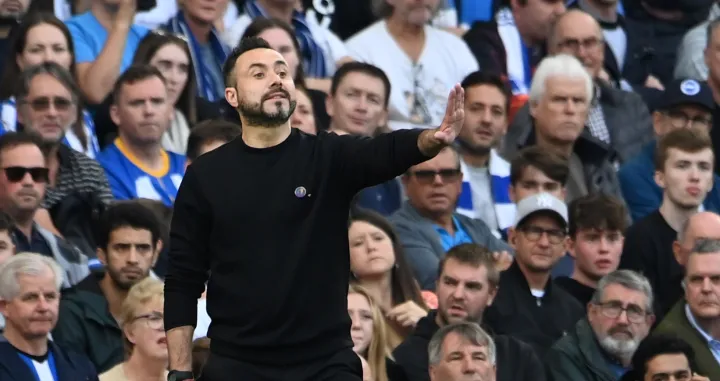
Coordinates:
(266, 215)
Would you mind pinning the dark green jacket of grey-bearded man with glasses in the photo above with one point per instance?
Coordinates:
(577, 356)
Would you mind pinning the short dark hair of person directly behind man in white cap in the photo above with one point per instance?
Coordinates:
(553, 165)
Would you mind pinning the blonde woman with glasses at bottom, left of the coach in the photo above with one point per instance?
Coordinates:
(141, 321)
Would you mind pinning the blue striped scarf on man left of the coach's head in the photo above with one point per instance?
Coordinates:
(207, 86)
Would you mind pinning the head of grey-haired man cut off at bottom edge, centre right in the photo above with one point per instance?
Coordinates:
(469, 344)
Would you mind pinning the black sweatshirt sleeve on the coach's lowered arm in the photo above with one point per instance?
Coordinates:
(188, 259)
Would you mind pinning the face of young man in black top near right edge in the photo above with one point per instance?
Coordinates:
(687, 177)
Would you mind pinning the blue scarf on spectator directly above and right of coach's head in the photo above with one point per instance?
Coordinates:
(312, 55)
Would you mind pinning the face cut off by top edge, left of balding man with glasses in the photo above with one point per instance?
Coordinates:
(535, 18)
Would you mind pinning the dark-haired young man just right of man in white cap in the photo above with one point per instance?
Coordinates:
(595, 241)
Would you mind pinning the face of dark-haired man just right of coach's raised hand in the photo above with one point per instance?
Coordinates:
(485, 118)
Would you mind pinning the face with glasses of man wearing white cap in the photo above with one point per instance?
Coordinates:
(539, 242)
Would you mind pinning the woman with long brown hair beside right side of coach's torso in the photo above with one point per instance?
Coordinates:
(378, 264)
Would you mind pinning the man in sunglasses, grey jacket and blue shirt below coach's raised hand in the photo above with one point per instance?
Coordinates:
(427, 223)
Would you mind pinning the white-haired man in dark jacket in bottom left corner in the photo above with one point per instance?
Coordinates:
(29, 299)
